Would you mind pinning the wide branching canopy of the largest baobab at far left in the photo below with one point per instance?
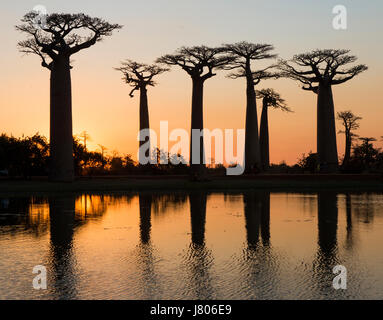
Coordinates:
(61, 34)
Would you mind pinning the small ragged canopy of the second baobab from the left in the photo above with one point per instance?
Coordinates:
(139, 75)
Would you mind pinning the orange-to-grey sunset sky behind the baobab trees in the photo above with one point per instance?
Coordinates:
(101, 103)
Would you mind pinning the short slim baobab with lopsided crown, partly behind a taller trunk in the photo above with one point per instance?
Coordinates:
(270, 99)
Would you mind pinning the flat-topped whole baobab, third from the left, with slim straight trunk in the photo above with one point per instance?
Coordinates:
(199, 62)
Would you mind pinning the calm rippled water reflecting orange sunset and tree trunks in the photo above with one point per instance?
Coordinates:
(250, 245)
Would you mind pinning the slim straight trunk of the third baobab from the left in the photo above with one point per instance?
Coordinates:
(197, 169)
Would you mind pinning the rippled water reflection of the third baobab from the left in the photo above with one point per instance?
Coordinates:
(198, 259)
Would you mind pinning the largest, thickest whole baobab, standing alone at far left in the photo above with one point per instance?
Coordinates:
(55, 41)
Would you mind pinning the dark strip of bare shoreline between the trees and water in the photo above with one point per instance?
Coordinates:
(272, 182)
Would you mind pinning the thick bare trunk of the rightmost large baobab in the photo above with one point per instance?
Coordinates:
(326, 134)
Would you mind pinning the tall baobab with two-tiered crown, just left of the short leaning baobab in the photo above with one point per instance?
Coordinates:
(243, 53)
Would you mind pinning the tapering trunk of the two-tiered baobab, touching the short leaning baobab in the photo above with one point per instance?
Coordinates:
(252, 149)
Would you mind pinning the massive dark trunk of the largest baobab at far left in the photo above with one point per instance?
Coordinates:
(61, 134)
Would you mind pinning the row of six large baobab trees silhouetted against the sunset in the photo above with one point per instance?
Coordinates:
(60, 37)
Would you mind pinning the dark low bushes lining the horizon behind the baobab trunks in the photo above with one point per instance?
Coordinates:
(29, 156)
